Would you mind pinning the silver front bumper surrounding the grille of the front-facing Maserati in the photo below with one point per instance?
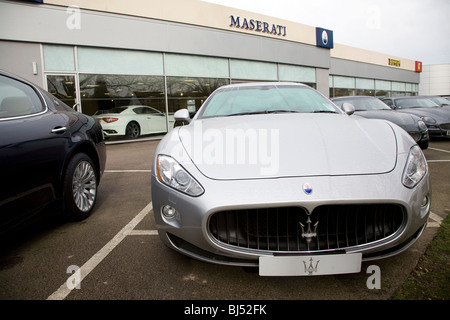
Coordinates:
(189, 230)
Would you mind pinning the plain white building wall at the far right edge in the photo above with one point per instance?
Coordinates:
(435, 80)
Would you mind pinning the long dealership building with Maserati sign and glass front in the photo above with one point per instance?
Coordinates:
(172, 54)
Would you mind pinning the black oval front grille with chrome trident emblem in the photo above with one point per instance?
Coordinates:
(328, 227)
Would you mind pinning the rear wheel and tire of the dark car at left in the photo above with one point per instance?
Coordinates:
(80, 188)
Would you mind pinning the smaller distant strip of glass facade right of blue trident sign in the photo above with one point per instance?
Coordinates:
(349, 86)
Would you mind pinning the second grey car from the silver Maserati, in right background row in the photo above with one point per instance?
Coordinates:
(436, 118)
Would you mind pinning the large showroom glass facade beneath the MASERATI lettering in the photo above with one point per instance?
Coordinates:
(100, 79)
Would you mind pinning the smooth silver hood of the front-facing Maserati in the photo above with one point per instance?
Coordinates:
(289, 145)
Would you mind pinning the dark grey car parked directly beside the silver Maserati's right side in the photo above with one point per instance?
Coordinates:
(374, 108)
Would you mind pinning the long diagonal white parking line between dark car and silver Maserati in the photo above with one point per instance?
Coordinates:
(90, 265)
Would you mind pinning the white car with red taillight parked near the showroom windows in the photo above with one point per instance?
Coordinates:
(133, 121)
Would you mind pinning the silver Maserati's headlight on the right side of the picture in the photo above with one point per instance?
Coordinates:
(416, 167)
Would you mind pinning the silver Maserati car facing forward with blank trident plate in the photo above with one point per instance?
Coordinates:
(276, 176)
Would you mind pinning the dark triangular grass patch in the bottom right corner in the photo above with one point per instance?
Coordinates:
(430, 280)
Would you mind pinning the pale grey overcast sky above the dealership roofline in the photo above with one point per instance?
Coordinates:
(412, 29)
